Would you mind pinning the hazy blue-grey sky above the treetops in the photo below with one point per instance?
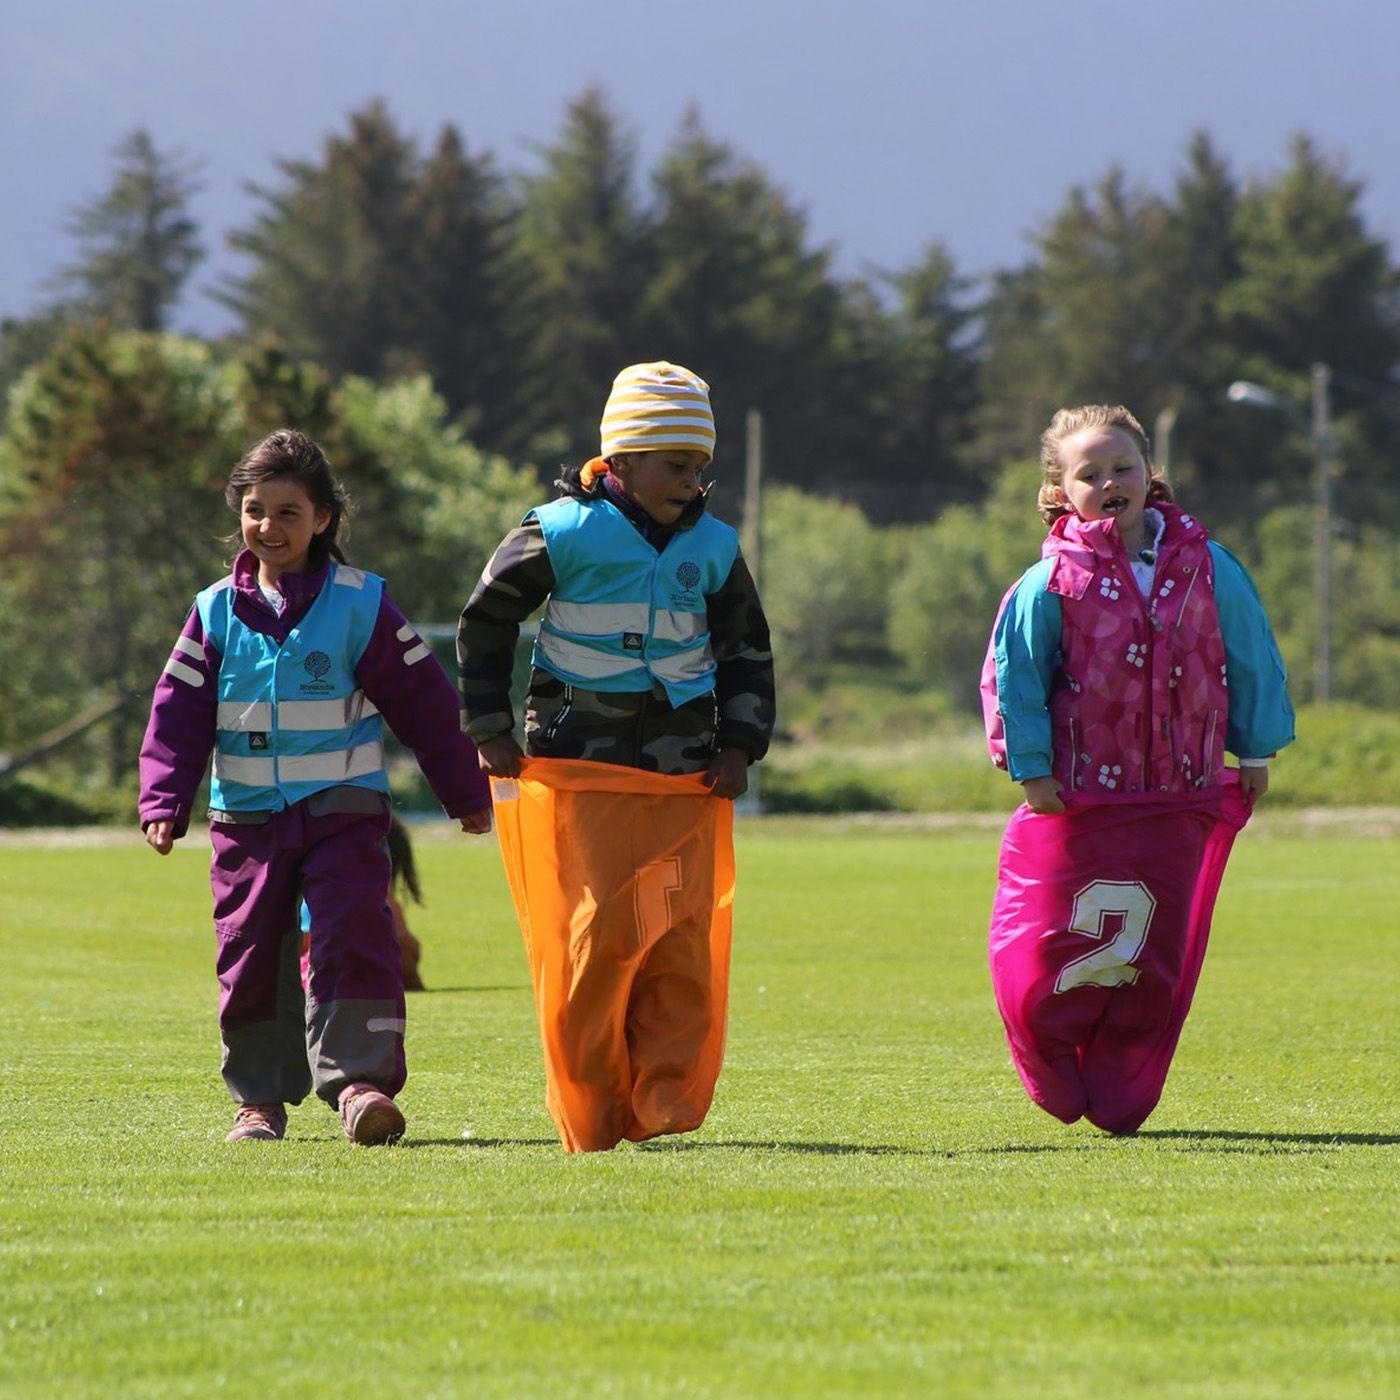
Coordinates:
(892, 124)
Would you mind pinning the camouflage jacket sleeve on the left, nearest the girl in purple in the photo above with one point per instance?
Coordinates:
(516, 582)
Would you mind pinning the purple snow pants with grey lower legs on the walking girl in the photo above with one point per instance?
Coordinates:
(279, 1042)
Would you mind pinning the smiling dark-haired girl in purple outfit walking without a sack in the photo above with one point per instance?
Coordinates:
(286, 671)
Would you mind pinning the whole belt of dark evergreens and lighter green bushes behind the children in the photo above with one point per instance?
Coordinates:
(450, 328)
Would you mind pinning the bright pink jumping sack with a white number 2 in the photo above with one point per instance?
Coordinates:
(1098, 936)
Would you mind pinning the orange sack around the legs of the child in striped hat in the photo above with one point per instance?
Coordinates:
(624, 884)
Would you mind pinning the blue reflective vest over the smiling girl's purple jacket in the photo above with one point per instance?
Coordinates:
(292, 719)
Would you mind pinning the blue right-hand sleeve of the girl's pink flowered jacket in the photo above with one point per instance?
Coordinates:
(1261, 712)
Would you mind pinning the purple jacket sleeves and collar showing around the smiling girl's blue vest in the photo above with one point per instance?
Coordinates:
(418, 702)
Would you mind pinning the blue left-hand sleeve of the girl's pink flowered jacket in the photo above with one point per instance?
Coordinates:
(1027, 646)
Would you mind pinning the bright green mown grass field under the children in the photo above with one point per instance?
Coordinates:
(871, 1209)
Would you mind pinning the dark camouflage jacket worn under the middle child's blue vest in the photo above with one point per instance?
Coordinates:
(639, 729)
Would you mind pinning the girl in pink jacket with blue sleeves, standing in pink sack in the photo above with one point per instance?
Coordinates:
(1121, 671)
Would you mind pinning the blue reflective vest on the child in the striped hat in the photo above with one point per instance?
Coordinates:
(624, 615)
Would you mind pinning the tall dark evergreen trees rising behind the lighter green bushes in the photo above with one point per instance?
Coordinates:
(904, 391)
